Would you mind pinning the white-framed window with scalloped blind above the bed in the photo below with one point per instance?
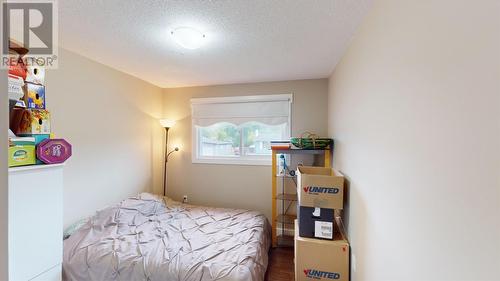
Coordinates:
(238, 130)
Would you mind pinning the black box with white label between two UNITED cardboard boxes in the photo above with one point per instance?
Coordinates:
(316, 222)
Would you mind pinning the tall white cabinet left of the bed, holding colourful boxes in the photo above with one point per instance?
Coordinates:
(35, 223)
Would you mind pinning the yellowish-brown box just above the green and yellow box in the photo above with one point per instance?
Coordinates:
(34, 122)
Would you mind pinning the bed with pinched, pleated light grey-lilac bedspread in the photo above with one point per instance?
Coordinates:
(153, 238)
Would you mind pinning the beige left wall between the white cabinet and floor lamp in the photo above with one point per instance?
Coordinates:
(111, 119)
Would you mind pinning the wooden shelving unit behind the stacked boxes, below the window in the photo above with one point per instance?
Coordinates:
(283, 228)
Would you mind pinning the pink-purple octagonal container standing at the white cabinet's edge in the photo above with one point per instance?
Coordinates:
(53, 151)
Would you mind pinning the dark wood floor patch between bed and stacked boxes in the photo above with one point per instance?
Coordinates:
(280, 266)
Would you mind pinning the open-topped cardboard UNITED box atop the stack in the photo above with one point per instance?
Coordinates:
(320, 187)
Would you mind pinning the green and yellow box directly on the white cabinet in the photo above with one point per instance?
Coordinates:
(21, 151)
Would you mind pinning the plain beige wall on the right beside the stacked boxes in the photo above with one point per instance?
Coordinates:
(414, 106)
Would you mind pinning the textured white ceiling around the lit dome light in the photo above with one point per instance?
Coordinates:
(248, 40)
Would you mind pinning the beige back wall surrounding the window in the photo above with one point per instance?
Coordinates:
(235, 185)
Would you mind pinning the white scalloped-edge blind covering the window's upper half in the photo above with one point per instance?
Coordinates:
(266, 109)
